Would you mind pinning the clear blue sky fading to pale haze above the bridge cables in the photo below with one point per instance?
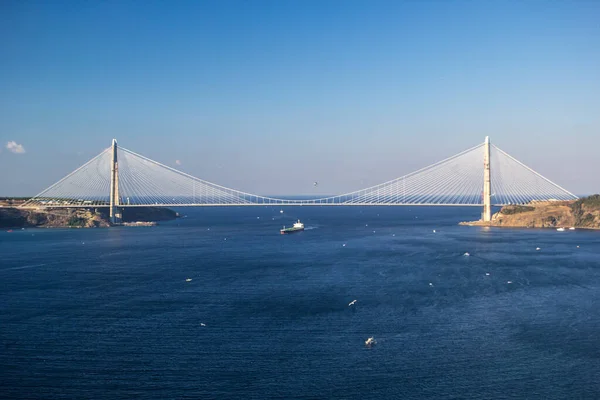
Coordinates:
(269, 96)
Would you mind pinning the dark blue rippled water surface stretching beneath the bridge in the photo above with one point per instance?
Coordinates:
(107, 313)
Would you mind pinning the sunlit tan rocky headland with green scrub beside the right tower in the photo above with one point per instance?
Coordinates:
(582, 213)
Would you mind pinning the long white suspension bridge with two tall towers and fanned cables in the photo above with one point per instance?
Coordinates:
(482, 175)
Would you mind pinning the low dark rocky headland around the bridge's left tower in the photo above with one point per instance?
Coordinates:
(78, 217)
